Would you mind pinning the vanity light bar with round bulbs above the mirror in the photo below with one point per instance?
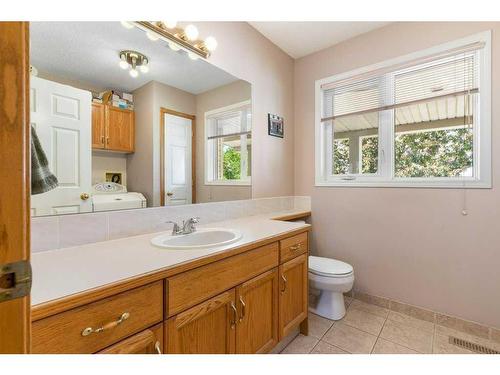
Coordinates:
(178, 38)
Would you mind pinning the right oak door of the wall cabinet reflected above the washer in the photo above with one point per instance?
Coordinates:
(119, 129)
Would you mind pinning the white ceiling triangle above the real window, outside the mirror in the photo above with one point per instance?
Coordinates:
(299, 39)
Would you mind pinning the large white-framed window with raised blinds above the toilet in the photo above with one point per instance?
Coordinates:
(422, 120)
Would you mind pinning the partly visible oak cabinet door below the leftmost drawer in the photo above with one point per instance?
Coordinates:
(149, 341)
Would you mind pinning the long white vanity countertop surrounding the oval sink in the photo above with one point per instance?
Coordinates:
(62, 272)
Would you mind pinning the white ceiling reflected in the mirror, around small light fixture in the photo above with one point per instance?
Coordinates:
(88, 52)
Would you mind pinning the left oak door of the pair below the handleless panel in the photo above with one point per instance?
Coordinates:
(207, 328)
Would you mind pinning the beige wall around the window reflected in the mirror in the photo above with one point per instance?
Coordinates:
(223, 96)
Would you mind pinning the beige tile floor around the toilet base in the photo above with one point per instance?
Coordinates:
(372, 329)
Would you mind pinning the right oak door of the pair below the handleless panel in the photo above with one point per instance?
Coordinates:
(257, 299)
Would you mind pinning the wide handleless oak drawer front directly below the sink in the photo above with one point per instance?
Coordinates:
(192, 287)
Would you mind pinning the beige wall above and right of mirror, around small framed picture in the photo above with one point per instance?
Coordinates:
(246, 54)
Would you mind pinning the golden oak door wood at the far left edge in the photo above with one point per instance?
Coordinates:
(15, 323)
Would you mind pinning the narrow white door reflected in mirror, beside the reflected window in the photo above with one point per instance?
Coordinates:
(178, 177)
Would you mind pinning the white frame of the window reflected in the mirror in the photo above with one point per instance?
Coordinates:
(247, 180)
